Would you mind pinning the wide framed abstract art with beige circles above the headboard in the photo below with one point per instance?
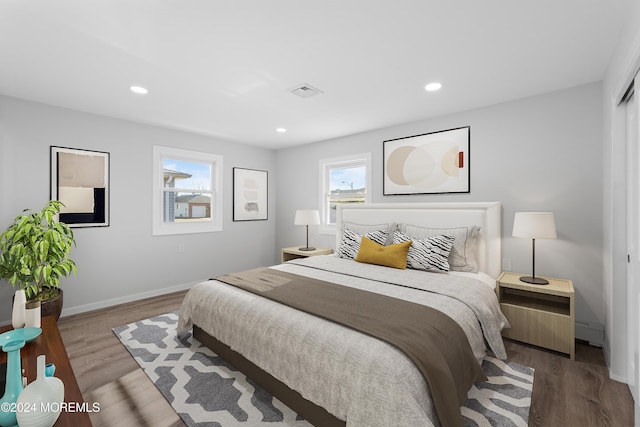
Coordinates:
(431, 163)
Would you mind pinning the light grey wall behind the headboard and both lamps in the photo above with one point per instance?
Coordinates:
(538, 153)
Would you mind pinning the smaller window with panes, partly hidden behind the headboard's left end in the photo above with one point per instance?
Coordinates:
(343, 180)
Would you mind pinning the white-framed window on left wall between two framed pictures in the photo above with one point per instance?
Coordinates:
(187, 191)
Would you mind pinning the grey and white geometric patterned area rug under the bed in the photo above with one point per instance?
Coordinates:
(206, 391)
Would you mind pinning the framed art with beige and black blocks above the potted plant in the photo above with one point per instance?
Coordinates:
(80, 180)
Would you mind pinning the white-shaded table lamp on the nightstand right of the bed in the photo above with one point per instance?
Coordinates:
(534, 225)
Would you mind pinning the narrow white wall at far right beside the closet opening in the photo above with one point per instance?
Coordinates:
(624, 63)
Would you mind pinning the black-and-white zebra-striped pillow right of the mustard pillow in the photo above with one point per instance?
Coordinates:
(429, 253)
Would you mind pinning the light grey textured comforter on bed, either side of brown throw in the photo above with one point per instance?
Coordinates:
(355, 377)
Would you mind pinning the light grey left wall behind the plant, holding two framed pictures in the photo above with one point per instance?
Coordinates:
(124, 261)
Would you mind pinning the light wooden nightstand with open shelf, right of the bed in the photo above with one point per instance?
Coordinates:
(542, 315)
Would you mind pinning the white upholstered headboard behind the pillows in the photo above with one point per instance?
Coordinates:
(435, 215)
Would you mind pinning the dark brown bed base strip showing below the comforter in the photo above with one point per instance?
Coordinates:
(311, 412)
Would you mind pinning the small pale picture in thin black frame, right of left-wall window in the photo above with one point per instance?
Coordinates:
(249, 195)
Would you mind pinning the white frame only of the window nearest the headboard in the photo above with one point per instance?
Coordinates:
(363, 159)
